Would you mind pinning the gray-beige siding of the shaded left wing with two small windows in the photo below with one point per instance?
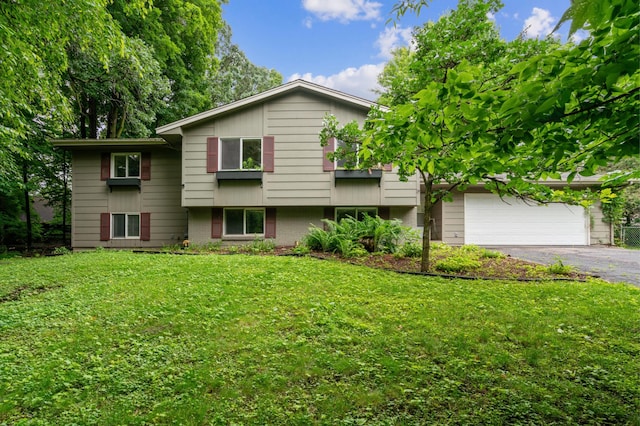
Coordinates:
(159, 196)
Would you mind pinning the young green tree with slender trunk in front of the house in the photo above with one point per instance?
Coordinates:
(426, 130)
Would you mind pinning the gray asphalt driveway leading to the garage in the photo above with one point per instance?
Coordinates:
(613, 264)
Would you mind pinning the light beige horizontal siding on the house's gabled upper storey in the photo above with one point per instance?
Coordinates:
(298, 179)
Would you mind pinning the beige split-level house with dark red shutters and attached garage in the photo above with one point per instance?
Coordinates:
(255, 168)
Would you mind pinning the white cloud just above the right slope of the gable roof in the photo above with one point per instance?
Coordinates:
(354, 81)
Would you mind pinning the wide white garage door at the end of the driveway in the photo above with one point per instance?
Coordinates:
(489, 220)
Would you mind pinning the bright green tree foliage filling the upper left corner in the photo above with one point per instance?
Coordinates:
(33, 58)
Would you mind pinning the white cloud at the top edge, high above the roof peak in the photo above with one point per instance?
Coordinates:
(343, 10)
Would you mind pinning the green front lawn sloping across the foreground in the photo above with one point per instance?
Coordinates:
(119, 338)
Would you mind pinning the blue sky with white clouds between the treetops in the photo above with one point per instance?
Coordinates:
(344, 44)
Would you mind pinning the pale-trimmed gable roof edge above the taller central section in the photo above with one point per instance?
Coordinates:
(175, 127)
